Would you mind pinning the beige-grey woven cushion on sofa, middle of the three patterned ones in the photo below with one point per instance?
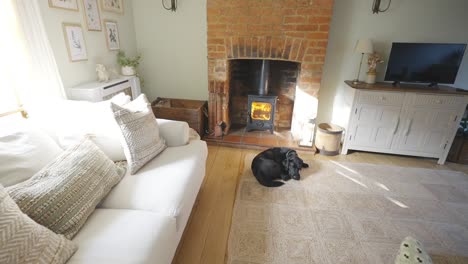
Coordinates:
(64, 193)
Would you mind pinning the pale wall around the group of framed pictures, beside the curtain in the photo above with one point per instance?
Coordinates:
(73, 73)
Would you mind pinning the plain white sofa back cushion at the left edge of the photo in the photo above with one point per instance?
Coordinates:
(24, 150)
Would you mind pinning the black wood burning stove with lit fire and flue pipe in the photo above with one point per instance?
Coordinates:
(261, 107)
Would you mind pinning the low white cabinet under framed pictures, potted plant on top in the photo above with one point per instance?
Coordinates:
(99, 91)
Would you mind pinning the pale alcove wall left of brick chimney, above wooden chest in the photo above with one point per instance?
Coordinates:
(173, 46)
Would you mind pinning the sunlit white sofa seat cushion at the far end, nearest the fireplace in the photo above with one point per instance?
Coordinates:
(166, 185)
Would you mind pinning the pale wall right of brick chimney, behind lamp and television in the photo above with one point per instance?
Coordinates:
(406, 21)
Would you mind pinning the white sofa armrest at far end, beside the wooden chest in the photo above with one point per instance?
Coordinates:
(176, 133)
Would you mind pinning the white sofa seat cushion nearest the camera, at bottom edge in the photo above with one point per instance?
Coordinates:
(125, 236)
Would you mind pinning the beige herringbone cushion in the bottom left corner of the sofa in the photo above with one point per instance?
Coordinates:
(24, 241)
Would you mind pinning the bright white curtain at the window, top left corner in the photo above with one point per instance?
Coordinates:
(28, 70)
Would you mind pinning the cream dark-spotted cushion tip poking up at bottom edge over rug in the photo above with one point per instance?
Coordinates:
(412, 252)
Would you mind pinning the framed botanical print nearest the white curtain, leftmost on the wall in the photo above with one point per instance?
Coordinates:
(75, 42)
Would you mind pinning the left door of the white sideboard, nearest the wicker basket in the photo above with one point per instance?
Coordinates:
(374, 126)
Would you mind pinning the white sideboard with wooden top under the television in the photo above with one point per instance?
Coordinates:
(417, 122)
